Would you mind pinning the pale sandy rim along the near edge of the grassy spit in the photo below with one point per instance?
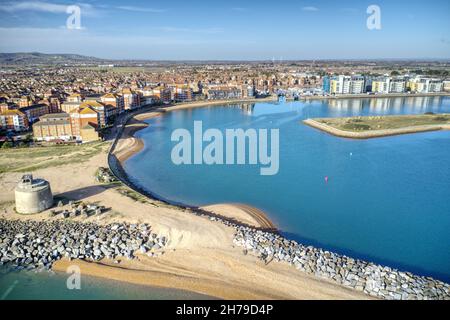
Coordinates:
(375, 133)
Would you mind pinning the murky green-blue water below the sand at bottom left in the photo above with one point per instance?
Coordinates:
(28, 285)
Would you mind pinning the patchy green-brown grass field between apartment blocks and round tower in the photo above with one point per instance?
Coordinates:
(30, 159)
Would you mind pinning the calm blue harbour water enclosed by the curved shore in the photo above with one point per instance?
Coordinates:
(387, 199)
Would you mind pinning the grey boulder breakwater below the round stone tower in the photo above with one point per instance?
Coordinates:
(38, 244)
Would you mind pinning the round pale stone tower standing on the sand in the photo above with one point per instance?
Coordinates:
(33, 195)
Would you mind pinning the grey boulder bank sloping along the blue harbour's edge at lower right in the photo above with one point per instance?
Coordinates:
(375, 280)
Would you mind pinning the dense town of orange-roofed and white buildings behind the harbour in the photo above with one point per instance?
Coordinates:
(93, 98)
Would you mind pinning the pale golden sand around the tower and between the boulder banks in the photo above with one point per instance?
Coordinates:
(200, 255)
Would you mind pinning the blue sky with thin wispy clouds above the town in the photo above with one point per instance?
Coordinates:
(247, 30)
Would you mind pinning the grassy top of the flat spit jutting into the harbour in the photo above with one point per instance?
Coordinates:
(361, 124)
